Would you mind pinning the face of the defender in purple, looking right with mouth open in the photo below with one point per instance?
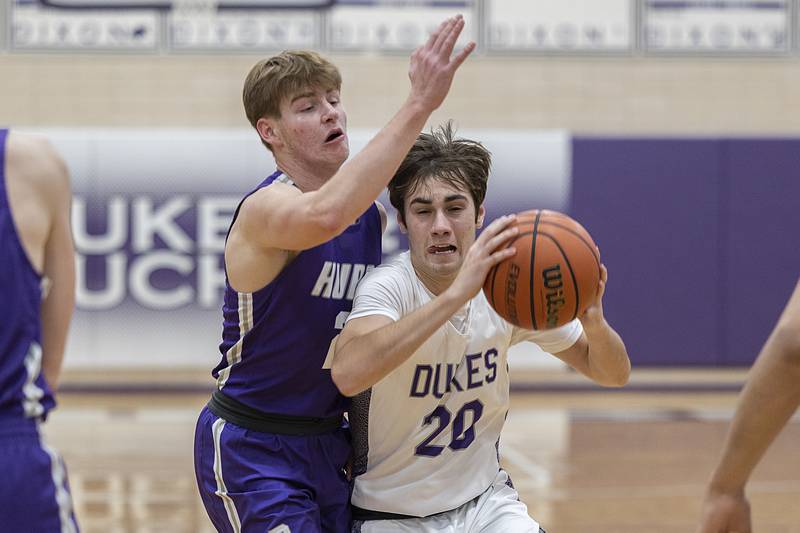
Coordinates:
(312, 129)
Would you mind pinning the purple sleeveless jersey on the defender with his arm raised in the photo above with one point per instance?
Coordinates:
(275, 340)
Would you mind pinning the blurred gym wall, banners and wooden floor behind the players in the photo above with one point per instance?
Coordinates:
(669, 129)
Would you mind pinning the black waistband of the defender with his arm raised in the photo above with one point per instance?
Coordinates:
(245, 416)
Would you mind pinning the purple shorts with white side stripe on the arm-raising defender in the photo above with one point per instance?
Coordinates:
(254, 481)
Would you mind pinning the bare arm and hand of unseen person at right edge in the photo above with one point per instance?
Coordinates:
(769, 398)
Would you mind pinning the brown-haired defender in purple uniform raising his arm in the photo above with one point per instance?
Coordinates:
(270, 447)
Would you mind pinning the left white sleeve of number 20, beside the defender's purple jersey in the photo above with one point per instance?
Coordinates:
(381, 292)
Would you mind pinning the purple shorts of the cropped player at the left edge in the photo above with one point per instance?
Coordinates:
(34, 493)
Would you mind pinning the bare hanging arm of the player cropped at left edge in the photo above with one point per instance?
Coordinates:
(59, 266)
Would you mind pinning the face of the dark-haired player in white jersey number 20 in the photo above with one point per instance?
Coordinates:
(440, 222)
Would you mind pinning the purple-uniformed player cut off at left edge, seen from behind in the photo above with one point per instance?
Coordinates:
(36, 251)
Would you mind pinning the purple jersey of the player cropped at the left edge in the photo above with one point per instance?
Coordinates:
(23, 390)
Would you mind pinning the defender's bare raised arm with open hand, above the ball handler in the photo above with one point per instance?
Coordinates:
(280, 218)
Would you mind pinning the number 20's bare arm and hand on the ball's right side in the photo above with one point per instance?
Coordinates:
(599, 354)
